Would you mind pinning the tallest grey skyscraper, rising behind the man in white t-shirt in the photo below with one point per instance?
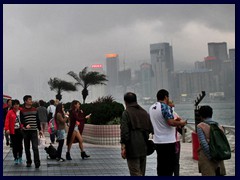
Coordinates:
(162, 64)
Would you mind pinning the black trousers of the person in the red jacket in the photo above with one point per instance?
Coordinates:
(17, 143)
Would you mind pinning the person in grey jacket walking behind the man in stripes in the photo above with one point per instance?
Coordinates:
(42, 113)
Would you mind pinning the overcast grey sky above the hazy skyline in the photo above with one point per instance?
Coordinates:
(43, 41)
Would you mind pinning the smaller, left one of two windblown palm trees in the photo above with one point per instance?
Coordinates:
(59, 85)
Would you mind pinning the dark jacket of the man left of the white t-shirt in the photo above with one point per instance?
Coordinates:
(135, 129)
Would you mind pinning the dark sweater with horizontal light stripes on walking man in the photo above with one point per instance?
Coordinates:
(29, 116)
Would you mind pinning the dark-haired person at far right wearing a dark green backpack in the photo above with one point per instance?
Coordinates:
(206, 165)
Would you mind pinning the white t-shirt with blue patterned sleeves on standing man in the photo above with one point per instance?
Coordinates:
(163, 133)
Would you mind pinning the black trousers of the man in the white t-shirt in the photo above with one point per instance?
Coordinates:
(165, 159)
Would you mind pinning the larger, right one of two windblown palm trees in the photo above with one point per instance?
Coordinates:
(86, 79)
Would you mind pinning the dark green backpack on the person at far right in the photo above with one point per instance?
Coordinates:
(218, 145)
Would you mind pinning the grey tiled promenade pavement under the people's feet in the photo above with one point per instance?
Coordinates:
(104, 161)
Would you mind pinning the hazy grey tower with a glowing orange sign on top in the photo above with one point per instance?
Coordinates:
(112, 67)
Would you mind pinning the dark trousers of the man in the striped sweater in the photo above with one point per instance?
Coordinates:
(31, 136)
